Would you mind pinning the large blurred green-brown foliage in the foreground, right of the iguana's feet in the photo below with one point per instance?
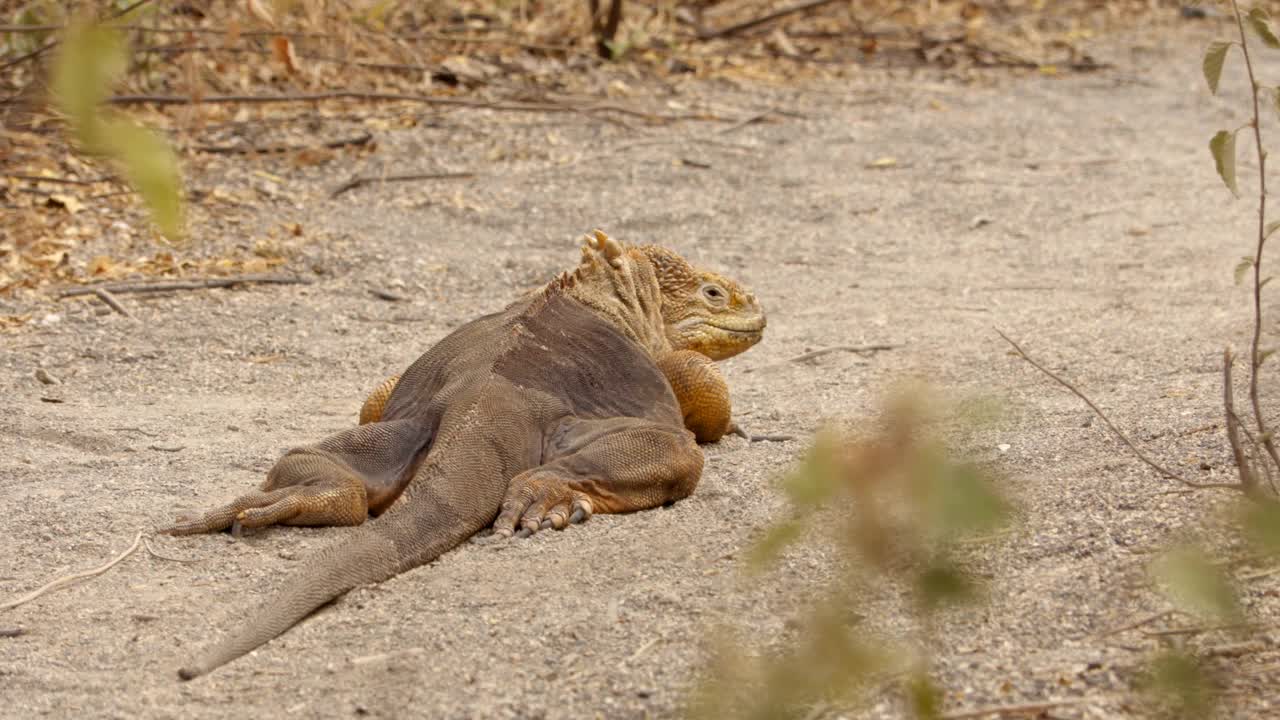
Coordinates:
(893, 508)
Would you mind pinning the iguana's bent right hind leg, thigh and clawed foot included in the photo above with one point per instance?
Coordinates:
(618, 466)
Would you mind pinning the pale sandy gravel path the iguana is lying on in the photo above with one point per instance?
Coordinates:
(1081, 215)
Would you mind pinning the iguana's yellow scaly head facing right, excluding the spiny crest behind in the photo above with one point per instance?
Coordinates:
(705, 312)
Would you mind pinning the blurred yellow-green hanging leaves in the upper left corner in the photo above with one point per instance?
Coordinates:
(90, 61)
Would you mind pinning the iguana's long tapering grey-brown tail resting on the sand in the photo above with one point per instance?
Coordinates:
(408, 536)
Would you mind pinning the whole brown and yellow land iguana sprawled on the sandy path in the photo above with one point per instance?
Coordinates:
(572, 402)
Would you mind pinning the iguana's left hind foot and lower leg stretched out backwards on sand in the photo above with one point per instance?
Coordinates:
(323, 502)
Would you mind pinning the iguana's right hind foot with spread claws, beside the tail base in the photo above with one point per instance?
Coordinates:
(538, 500)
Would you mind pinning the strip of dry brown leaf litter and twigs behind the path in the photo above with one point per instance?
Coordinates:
(228, 80)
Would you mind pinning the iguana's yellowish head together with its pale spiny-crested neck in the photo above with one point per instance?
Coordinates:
(659, 299)
